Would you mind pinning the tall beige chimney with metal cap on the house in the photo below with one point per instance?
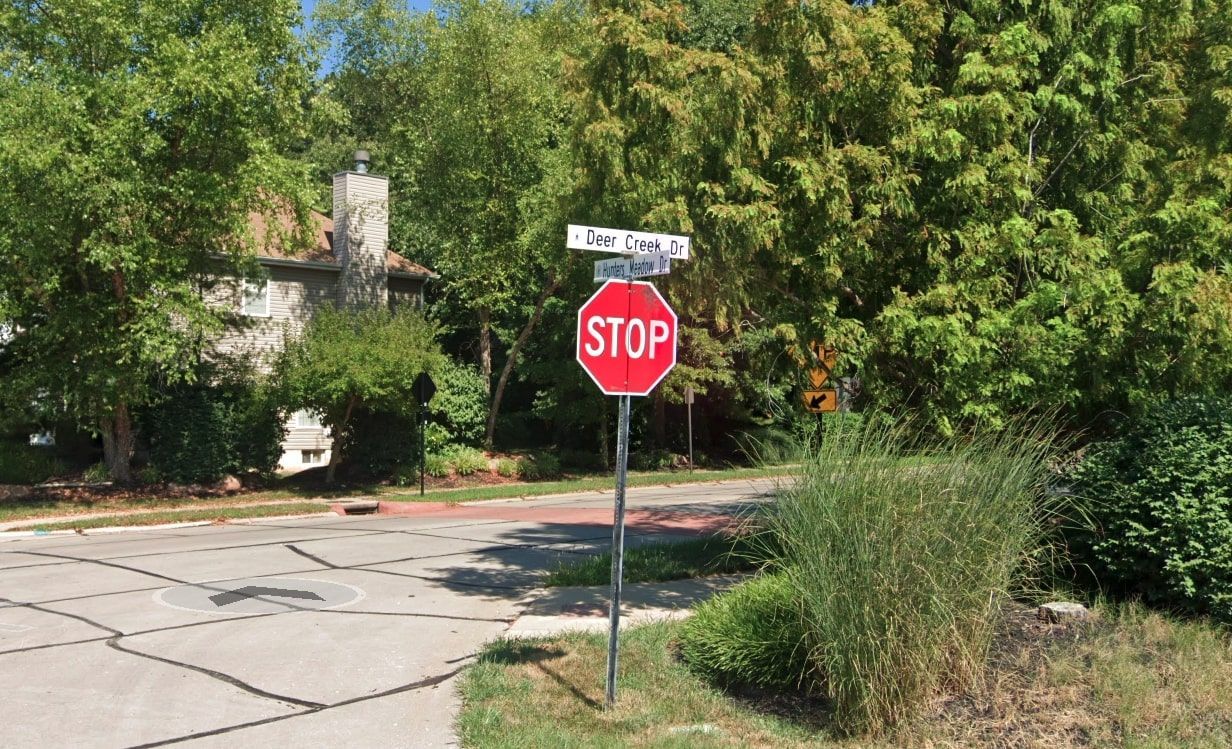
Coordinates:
(362, 236)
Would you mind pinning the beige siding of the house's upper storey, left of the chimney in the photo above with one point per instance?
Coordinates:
(296, 294)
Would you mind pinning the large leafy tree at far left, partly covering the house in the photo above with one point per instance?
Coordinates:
(137, 140)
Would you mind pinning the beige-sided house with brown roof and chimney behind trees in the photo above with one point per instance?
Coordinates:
(348, 264)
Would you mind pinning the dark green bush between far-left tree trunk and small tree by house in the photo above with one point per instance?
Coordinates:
(227, 423)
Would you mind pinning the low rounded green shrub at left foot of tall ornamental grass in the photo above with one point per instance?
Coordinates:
(751, 635)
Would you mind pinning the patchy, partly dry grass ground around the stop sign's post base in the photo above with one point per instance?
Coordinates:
(1134, 678)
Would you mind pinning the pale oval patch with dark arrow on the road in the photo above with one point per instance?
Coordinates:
(259, 596)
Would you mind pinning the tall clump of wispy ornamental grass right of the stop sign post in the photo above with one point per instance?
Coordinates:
(901, 566)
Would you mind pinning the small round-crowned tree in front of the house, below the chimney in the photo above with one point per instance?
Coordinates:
(352, 359)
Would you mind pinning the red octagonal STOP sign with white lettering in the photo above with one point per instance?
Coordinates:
(626, 338)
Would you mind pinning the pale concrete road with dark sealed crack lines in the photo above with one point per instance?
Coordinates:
(325, 631)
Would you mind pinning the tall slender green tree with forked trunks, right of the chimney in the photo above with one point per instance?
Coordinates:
(486, 169)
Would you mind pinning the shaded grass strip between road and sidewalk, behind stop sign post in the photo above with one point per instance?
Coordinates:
(661, 562)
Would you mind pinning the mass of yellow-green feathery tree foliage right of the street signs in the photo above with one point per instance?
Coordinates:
(983, 206)
